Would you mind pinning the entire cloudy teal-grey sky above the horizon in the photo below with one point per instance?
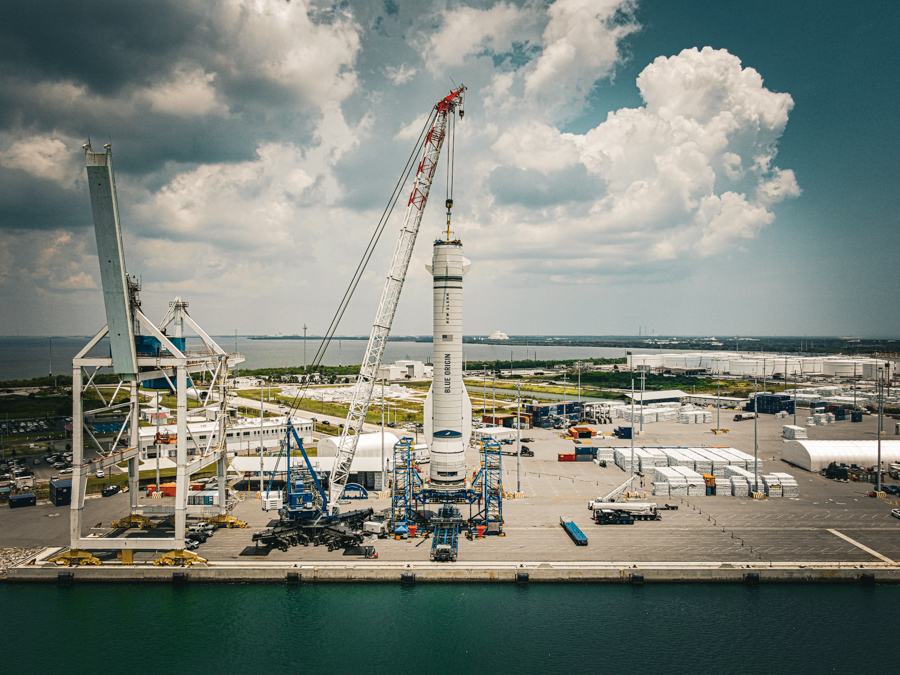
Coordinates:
(698, 167)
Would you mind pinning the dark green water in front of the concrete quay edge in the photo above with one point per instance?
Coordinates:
(467, 628)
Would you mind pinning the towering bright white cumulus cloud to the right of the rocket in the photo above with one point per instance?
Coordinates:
(688, 175)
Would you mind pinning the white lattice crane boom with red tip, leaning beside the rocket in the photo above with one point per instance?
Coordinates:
(381, 328)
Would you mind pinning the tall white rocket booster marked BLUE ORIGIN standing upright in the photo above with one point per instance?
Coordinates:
(448, 411)
